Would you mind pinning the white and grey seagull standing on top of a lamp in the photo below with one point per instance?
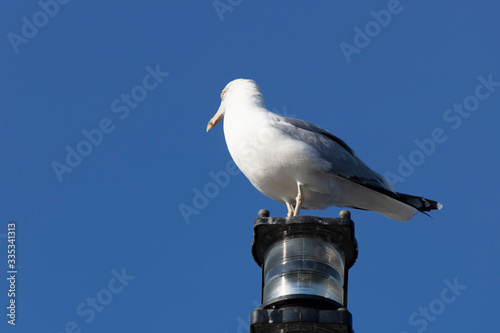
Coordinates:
(302, 165)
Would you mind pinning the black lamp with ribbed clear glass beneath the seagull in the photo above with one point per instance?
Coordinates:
(305, 262)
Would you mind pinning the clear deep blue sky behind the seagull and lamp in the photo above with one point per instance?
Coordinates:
(103, 117)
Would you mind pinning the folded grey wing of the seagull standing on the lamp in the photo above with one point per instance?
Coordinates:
(344, 161)
